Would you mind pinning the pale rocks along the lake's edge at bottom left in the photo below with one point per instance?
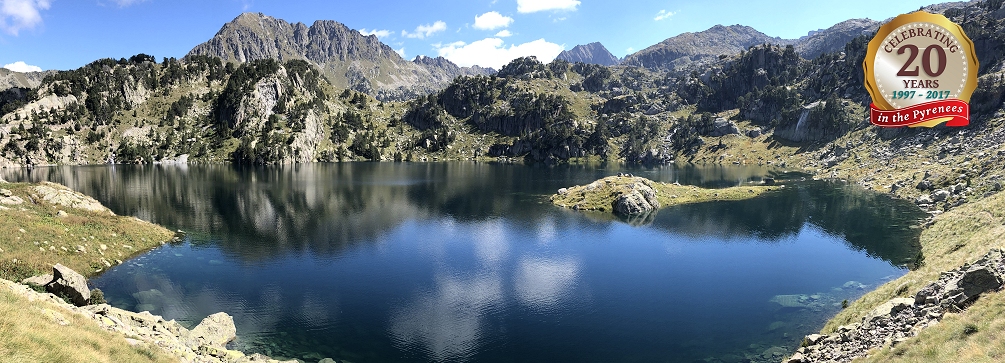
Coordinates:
(204, 344)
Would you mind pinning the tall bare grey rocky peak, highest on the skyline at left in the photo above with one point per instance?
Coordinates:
(348, 59)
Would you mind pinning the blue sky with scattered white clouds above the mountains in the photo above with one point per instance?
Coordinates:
(66, 35)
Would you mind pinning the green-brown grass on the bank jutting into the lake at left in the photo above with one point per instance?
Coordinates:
(48, 240)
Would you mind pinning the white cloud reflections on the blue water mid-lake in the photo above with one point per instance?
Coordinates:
(454, 319)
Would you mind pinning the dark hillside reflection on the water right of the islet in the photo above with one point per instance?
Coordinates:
(868, 222)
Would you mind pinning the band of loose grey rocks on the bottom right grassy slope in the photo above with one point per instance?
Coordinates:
(903, 318)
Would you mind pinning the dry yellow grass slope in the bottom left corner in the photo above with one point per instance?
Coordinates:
(32, 332)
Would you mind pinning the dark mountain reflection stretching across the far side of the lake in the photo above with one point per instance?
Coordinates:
(326, 209)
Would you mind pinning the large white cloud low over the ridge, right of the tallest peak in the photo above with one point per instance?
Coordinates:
(494, 53)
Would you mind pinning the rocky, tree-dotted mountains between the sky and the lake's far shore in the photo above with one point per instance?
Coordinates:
(265, 91)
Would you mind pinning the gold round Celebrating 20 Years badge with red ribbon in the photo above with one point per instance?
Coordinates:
(918, 61)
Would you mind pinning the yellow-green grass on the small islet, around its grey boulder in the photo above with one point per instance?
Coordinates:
(601, 195)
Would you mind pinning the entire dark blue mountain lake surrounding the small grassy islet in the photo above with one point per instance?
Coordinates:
(470, 263)
